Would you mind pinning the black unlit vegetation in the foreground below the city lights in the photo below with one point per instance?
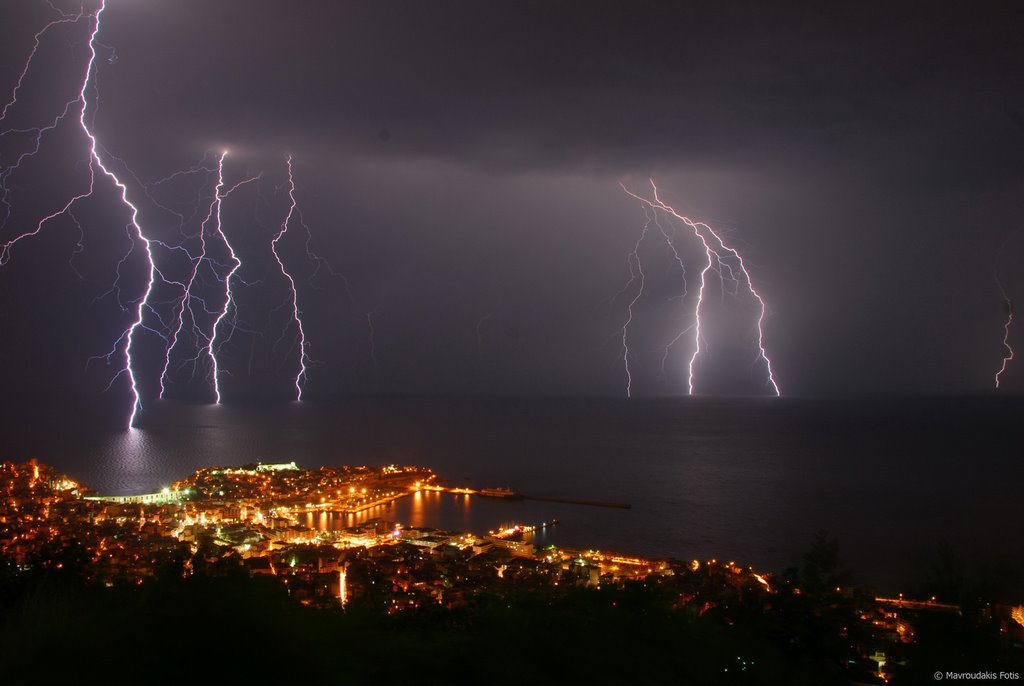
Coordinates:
(223, 626)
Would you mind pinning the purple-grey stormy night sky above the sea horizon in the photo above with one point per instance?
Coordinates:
(459, 164)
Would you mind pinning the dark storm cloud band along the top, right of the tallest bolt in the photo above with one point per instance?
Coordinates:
(612, 85)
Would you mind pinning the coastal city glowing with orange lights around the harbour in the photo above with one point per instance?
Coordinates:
(248, 521)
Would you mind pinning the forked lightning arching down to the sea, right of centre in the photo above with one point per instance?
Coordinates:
(717, 253)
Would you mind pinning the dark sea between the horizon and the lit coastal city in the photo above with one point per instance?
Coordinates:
(905, 485)
